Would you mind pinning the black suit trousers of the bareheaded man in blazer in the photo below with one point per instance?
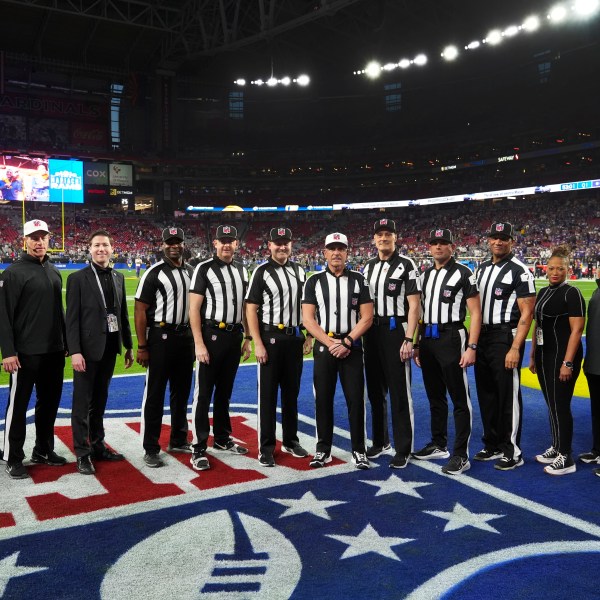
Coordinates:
(90, 394)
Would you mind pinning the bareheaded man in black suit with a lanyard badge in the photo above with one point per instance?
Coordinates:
(97, 328)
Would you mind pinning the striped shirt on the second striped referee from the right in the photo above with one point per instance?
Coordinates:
(445, 292)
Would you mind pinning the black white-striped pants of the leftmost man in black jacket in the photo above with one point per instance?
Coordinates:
(45, 371)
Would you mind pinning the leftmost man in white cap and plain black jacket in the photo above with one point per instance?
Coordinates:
(32, 339)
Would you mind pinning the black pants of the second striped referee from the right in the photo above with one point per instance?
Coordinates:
(442, 374)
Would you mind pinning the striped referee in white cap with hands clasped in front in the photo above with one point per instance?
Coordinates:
(337, 309)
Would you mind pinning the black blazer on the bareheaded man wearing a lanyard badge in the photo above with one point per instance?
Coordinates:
(86, 316)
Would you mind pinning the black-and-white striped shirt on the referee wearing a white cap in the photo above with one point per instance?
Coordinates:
(337, 299)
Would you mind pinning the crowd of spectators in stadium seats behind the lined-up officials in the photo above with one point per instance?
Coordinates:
(540, 222)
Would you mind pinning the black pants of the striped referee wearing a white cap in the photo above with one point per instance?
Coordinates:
(327, 368)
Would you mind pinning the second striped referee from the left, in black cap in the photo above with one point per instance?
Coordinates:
(217, 318)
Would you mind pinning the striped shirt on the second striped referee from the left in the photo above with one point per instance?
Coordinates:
(223, 286)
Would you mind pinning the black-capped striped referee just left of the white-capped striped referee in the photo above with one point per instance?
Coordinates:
(273, 310)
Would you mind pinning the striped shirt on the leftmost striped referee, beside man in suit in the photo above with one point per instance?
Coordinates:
(165, 288)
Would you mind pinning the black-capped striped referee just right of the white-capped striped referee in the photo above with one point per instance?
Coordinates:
(395, 285)
